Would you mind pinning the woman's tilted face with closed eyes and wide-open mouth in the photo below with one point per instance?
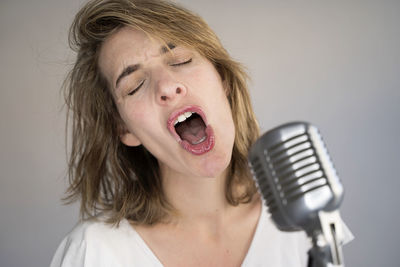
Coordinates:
(172, 101)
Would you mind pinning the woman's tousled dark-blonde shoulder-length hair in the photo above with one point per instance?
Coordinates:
(126, 181)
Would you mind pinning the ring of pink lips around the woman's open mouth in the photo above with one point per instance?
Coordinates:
(197, 149)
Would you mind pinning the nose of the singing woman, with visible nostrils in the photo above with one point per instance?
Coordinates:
(169, 89)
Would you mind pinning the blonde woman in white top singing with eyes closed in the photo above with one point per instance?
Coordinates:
(161, 126)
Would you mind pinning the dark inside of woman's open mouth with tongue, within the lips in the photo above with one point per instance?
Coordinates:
(192, 130)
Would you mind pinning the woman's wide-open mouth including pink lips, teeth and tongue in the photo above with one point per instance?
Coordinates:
(190, 128)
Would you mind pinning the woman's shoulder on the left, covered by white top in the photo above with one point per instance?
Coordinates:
(96, 243)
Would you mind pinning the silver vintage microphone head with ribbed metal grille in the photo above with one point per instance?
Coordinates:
(295, 176)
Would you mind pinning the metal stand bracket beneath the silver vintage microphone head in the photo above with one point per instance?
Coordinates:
(327, 241)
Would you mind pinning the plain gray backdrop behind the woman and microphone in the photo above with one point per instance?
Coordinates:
(333, 63)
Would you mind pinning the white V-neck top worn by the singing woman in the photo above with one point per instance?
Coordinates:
(97, 244)
